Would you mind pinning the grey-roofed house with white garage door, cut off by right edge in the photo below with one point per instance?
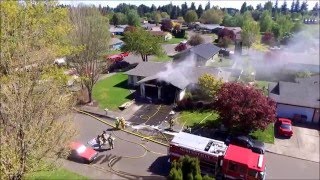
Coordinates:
(299, 100)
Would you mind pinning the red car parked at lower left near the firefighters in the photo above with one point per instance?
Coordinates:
(81, 153)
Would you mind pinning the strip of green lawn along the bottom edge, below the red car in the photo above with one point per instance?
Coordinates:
(54, 174)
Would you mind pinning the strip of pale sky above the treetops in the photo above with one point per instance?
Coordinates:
(221, 3)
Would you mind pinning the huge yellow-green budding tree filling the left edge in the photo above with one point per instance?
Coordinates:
(31, 135)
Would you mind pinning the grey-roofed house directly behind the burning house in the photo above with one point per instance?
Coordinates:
(203, 54)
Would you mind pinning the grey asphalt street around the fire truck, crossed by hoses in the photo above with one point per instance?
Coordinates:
(142, 159)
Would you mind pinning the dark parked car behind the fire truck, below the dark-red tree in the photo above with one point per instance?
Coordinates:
(247, 142)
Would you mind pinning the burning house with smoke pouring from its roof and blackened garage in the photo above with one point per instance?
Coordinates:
(157, 81)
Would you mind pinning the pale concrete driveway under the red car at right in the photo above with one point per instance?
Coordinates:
(304, 144)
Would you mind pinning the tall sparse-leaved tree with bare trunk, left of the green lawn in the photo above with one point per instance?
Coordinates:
(92, 34)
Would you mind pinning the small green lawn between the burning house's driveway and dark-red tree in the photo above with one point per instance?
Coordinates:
(190, 118)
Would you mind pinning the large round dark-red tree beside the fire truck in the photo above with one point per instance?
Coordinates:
(244, 109)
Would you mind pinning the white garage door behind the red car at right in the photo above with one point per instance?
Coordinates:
(288, 111)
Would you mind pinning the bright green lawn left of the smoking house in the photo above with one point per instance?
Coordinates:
(111, 92)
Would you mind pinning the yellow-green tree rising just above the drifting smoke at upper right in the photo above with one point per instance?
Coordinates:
(250, 32)
